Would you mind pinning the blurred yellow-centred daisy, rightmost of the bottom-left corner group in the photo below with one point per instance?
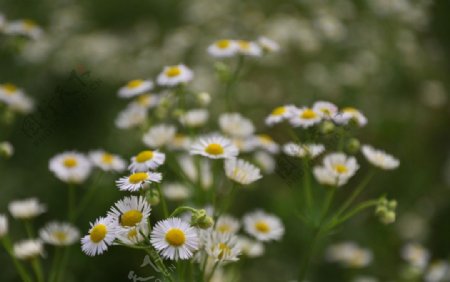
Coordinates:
(59, 234)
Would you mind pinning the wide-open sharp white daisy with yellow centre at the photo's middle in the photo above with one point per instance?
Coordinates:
(214, 147)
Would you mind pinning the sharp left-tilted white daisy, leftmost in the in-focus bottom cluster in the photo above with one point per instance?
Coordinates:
(101, 235)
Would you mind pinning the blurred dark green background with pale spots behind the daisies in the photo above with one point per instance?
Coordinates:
(380, 61)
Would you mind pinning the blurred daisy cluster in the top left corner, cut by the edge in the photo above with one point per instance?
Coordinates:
(25, 27)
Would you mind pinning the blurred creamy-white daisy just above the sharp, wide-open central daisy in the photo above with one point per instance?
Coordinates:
(235, 125)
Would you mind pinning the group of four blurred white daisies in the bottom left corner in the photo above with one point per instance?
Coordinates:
(54, 233)
